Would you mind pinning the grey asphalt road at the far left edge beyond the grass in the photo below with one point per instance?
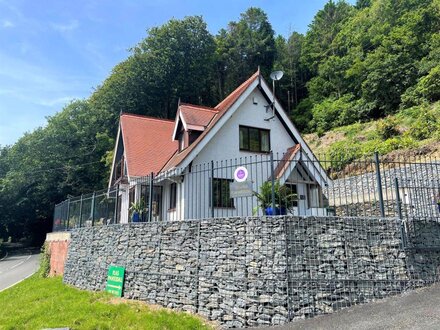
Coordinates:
(16, 266)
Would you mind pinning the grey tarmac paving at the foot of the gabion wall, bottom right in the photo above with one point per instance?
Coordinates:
(417, 309)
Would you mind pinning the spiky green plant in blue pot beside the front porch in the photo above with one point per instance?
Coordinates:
(284, 198)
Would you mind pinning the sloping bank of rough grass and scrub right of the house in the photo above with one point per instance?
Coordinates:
(410, 132)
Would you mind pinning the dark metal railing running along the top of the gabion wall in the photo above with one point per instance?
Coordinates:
(276, 184)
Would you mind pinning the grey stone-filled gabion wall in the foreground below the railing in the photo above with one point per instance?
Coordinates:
(252, 271)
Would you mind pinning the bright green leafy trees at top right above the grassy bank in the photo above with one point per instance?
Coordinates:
(384, 54)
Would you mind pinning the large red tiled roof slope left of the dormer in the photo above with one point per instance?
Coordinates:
(147, 143)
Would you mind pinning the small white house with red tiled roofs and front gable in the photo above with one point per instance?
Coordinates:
(194, 157)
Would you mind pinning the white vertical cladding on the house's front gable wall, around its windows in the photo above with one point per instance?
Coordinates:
(224, 150)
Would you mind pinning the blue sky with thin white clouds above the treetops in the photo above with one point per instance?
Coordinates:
(55, 51)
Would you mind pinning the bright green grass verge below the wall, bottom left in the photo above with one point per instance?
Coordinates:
(38, 303)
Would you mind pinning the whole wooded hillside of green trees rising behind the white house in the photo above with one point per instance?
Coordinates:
(354, 64)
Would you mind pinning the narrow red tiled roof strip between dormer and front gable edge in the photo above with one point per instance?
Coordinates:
(222, 108)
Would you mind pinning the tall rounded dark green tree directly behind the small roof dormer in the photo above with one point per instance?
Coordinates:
(178, 62)
